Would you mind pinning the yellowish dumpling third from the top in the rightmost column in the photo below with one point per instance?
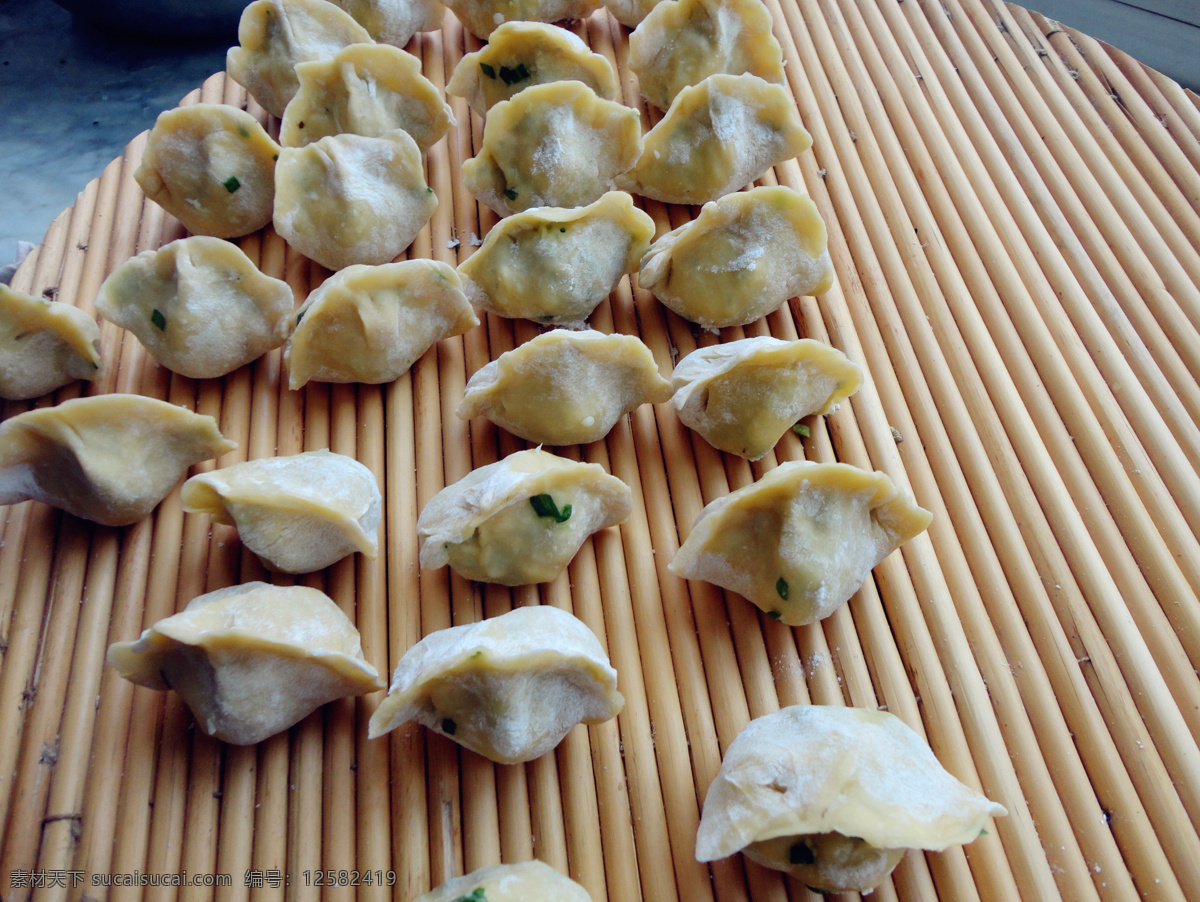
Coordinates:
(742, 258)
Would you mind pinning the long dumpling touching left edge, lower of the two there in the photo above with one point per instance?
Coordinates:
(109, 459)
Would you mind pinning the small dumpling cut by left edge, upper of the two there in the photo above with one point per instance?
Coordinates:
(44, 346)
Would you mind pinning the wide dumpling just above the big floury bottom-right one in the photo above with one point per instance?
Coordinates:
(802, 540)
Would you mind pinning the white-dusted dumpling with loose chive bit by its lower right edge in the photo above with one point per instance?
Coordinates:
(745, 395)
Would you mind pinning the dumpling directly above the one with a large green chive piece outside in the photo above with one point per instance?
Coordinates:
(566, 388)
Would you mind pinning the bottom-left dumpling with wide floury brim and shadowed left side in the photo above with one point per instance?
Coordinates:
(251, 660)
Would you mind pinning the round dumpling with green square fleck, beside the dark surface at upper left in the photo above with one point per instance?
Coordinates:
(213, 169)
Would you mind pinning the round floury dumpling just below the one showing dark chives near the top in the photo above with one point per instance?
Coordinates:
(553, 146)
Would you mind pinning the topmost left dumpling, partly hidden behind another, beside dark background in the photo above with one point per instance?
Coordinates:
(275, 35)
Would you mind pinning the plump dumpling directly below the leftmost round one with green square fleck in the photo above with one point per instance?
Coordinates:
(199, 305)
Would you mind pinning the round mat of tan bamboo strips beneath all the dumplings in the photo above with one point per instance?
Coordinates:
(1015, 219)
